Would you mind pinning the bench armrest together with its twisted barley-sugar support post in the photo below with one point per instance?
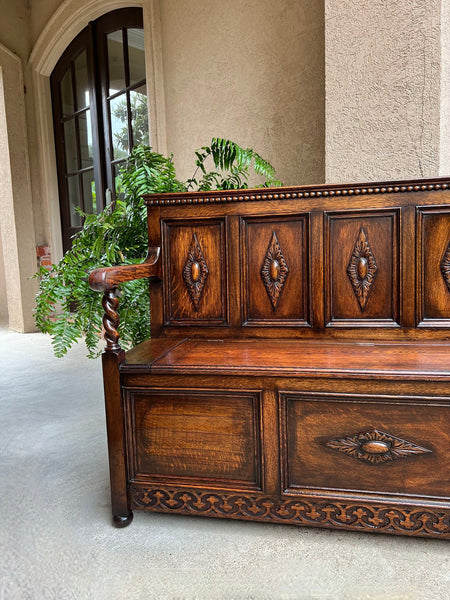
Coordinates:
(107, 280)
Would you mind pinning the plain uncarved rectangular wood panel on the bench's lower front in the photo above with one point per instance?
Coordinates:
(206, 436)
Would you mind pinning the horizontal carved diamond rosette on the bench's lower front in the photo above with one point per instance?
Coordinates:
(375, 447)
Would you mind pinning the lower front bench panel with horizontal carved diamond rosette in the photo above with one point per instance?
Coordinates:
(391, 445)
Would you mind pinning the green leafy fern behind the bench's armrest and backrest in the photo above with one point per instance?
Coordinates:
(66, 308)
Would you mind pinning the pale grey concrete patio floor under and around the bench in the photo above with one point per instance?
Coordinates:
(57, 543)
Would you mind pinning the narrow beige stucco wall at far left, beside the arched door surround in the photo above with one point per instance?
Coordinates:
(17, 253)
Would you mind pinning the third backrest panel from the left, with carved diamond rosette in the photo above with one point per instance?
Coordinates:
(362, 259)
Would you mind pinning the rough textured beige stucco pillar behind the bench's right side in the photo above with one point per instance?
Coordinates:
(382, 89)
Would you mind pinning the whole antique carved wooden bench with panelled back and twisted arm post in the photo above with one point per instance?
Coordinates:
(298, 369)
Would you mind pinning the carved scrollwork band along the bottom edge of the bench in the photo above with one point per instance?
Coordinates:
(320, 513)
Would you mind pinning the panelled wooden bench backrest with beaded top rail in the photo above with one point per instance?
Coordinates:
(361, 261)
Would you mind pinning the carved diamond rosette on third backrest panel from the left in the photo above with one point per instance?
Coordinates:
(362, 269)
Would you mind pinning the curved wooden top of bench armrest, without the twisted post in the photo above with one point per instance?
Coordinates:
(108, 278)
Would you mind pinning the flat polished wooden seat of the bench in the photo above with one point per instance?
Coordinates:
(296, 358)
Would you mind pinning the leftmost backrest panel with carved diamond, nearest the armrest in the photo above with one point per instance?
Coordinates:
(195, 274)
